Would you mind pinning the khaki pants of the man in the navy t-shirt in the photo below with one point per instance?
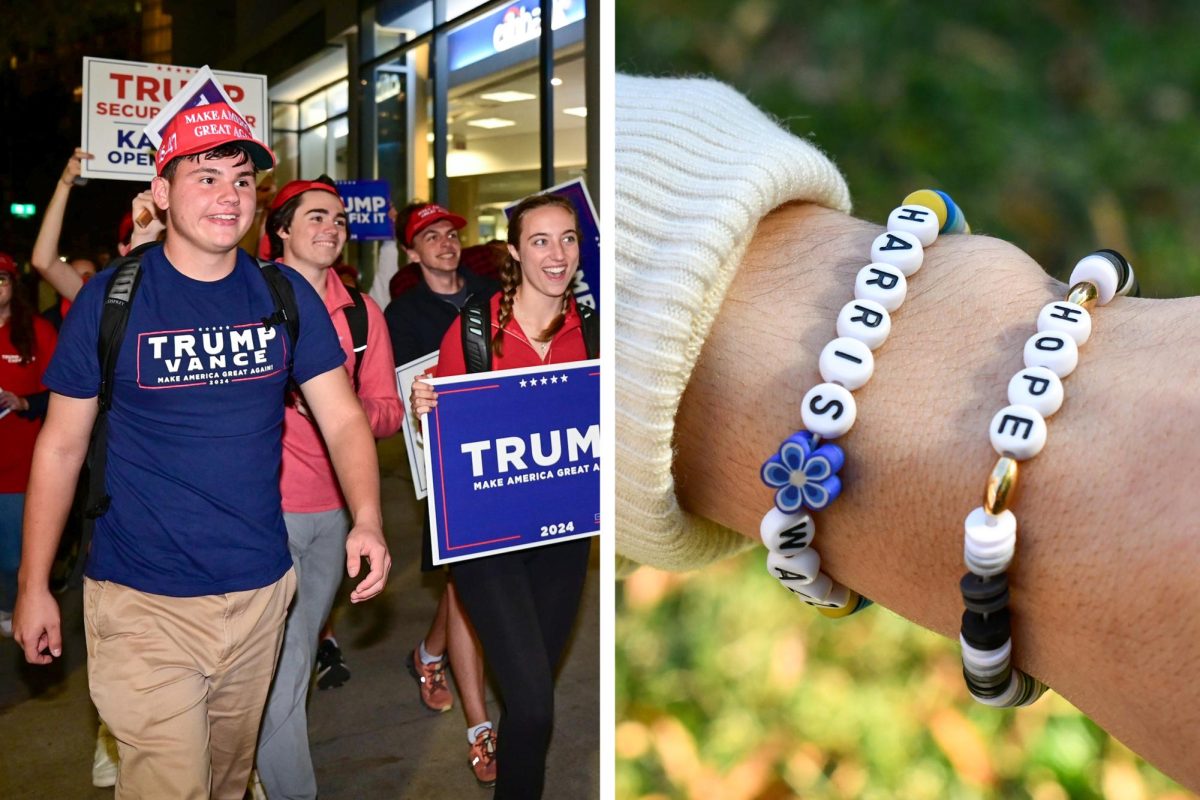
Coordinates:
(182, 683)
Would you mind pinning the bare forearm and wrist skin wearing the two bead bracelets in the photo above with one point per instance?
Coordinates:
(1102, 585)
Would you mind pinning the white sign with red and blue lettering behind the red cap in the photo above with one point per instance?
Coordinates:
(122, 98)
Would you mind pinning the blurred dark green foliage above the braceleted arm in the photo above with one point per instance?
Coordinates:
(1060, 125)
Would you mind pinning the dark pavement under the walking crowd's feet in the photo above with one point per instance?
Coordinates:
(370, 738)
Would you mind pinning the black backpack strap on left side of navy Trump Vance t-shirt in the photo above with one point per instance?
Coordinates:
(115, 316)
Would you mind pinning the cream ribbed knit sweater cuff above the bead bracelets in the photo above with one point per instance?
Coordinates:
(697, 169)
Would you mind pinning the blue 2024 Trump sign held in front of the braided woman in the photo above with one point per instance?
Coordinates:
(514, 460)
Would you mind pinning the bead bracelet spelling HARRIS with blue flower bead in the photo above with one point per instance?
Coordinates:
(805, 472)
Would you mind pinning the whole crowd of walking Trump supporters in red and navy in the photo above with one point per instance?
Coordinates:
(212, 554)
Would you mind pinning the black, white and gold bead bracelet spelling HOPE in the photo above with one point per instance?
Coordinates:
(1018, 434)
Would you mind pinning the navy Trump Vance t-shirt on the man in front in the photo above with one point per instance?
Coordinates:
(196, 425)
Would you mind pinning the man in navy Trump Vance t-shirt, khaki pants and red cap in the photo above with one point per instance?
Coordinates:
(189, 578)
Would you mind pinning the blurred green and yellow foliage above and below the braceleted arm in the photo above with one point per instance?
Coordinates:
(1061, 127)
